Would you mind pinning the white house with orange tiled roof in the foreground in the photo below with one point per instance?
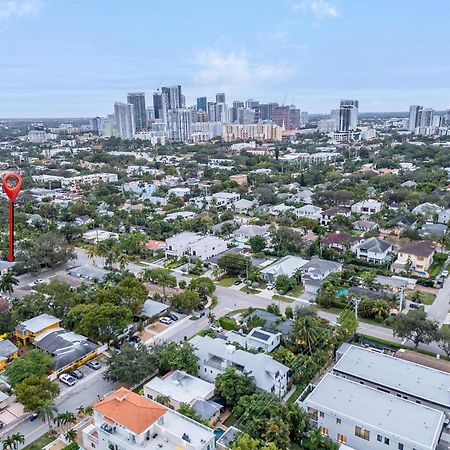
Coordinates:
(127, 420)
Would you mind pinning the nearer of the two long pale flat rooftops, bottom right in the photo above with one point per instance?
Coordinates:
(410, 423)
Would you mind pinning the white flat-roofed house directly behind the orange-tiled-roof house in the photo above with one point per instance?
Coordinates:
(179, 387)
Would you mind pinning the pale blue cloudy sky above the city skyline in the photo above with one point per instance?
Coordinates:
(74, 58)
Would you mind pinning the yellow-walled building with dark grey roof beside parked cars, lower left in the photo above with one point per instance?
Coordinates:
(68, 349)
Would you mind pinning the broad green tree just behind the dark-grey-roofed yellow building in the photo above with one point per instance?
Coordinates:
(101, 322)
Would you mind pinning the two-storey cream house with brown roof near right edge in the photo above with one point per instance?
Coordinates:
(416, 256)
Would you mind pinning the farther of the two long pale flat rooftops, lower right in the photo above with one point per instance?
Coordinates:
(400, 375)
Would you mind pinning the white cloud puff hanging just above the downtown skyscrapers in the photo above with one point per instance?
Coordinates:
(236, 69)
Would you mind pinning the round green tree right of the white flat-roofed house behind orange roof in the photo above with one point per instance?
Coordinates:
(232, 385)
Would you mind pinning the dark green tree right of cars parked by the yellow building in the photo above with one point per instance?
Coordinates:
(132, 365)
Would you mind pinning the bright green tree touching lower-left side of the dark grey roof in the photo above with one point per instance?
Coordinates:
(33, 362)
